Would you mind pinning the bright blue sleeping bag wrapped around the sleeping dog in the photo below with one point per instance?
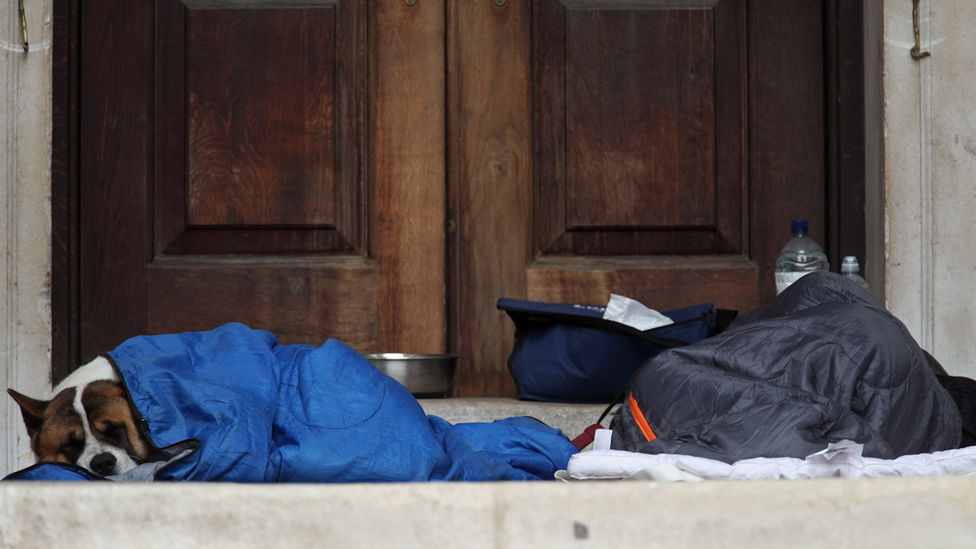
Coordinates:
(234, 405)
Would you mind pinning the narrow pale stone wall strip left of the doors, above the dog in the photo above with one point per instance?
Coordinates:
(25, 218)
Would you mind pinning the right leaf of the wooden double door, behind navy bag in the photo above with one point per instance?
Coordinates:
(656, 149)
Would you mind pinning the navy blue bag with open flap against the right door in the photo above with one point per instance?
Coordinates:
(570, 353)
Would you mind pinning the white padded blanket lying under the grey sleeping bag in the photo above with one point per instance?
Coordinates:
(842, 459)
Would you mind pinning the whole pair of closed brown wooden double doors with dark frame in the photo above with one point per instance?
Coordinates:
(330, 169)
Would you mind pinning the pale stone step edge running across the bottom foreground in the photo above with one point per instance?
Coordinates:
(886, 513)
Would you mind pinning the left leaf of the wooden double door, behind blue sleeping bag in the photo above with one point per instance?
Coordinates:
(267, 163)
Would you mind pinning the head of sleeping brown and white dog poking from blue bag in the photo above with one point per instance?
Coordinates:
(87, 422)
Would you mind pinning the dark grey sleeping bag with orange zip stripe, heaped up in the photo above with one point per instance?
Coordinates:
(822, 363)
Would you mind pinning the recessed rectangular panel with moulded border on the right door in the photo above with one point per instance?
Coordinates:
(639, 128)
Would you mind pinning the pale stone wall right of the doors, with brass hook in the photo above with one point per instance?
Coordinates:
(930, 177)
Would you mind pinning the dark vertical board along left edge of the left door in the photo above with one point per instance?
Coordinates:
(114, 142)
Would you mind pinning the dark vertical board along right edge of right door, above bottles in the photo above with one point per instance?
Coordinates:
(786, 121)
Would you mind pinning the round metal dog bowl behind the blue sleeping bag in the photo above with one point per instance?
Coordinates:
(426, 376)
